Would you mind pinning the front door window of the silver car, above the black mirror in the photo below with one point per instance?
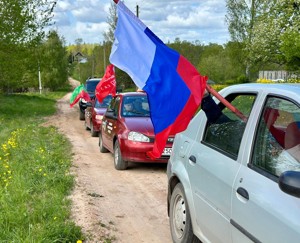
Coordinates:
(277, 143)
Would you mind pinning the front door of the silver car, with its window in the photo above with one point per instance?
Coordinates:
(262, 212)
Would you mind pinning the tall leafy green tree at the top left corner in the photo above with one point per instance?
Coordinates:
(21, 31)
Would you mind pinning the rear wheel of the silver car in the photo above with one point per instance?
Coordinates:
(180, 220)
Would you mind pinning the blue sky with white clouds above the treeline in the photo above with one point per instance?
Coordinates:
(198, 20)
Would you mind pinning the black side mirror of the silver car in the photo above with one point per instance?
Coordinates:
(289, 182)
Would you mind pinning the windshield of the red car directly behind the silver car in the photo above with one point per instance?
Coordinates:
(135, 106)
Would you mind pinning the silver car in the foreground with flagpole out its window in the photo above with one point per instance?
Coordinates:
(238, 180)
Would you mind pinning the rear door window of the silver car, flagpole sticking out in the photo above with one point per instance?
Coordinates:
(225, 134)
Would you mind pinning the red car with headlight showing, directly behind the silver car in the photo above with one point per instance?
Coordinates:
(127, 131)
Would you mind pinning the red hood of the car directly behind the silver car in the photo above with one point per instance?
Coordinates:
(140, 124)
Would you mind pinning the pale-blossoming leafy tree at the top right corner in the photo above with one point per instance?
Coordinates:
(281, 44)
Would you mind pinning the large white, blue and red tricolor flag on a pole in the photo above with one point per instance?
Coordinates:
(173, 85)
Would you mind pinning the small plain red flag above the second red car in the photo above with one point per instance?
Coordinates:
(107, 85)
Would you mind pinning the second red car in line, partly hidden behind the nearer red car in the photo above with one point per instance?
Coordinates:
(94, 114)
